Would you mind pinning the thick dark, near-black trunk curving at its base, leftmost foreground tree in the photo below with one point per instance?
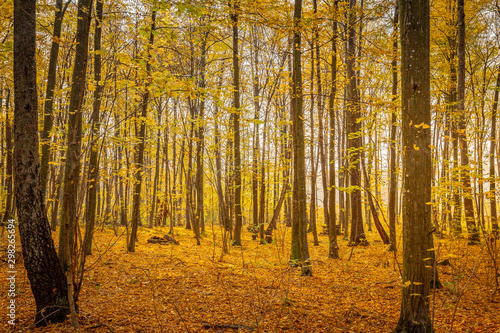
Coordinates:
(44, 271)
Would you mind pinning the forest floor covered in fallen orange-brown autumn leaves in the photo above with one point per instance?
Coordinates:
(190, 288)
